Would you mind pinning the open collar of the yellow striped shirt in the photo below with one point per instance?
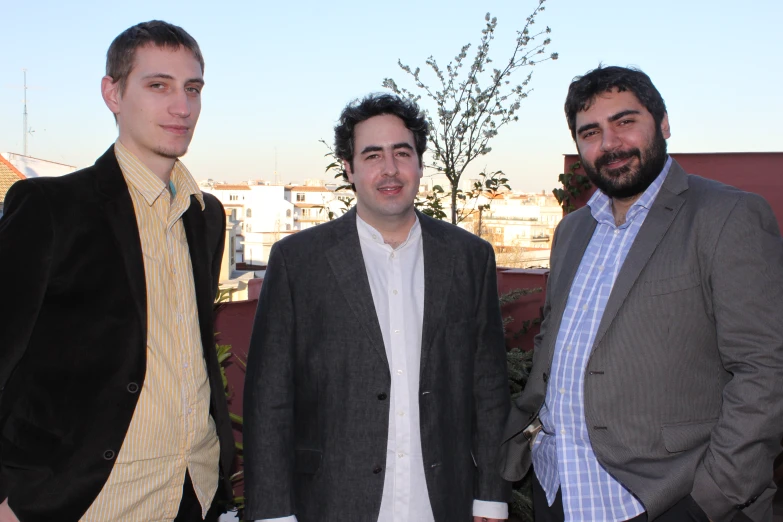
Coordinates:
(151, 186)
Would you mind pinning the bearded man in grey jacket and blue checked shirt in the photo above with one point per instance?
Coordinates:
(657, 385)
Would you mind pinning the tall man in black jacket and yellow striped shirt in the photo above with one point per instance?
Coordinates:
(113, 406)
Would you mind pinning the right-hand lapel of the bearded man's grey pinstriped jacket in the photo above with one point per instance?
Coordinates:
(659, 219)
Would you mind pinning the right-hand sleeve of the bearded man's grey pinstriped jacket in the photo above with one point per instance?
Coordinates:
(746, 283)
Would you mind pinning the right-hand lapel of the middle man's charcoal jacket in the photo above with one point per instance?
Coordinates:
(438, 270)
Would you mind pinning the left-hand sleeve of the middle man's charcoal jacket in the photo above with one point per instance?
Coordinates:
(269, 398)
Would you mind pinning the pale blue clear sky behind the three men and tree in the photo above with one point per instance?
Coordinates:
(278, 74)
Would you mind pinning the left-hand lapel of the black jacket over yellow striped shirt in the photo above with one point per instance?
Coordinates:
(118, 206)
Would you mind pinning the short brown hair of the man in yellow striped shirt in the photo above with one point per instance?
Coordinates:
(122, 51)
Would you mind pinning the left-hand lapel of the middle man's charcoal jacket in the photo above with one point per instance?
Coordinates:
(347, 263)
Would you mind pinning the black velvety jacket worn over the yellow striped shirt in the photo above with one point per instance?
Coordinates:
(73, 334)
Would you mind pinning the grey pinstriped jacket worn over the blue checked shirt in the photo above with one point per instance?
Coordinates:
(684, 387)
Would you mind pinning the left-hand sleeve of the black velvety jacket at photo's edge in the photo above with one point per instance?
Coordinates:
(26, 249)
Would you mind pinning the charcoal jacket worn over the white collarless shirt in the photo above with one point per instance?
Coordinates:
(318, 381)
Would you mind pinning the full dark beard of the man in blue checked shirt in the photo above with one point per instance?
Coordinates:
(627, 181)
